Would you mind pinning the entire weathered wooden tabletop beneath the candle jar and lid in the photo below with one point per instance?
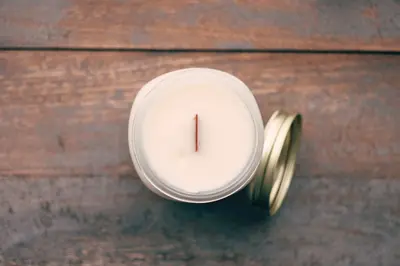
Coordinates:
(69, 71)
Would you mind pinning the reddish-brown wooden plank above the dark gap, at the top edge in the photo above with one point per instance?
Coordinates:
(210, 24)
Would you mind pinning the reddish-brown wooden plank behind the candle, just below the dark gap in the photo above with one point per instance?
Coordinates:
(66, 113)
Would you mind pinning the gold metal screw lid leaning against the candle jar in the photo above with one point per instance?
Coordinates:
(274, 174)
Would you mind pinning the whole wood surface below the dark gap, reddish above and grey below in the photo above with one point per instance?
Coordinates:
(69, 193)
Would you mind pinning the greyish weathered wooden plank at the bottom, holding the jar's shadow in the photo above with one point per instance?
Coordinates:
(109, 221)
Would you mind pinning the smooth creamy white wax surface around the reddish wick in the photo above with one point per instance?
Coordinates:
(226, 134)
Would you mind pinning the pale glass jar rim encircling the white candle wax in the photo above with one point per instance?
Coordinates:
(161, 186)
